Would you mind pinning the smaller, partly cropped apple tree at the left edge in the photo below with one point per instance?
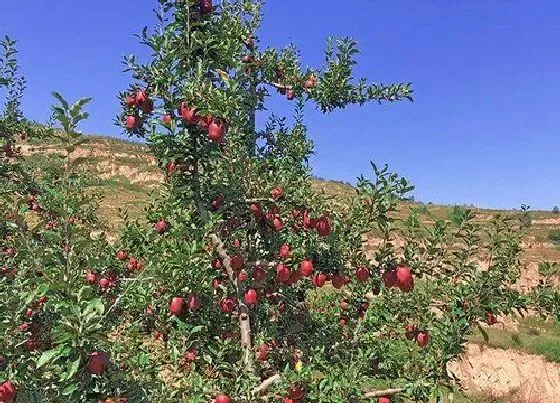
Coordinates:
(57, 311)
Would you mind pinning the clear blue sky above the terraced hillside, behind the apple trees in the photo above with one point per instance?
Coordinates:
(484, 126)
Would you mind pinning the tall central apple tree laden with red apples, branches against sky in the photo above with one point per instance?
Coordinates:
(256, 287)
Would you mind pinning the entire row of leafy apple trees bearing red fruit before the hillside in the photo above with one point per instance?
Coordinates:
(246, 285)
